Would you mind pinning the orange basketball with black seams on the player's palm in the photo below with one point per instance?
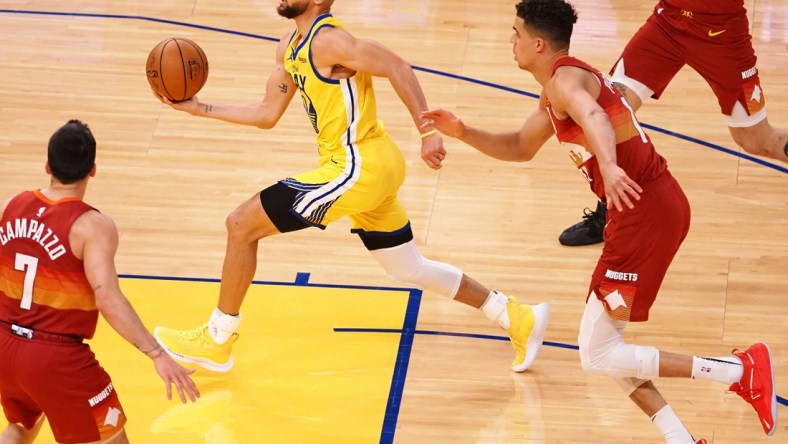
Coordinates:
(177, 68)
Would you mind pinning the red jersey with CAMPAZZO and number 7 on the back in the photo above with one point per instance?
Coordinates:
(42, 284)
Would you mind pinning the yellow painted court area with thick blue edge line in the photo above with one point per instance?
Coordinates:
(330, 361)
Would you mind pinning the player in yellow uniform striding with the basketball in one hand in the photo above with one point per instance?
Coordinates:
(361, 169)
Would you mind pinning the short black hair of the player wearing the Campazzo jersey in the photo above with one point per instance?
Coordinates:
(72, 152)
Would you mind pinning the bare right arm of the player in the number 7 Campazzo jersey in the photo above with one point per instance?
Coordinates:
(94, 238)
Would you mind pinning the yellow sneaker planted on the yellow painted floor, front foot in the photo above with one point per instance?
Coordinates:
(197, 347)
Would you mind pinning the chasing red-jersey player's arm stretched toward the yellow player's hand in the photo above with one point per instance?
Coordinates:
(513, 146)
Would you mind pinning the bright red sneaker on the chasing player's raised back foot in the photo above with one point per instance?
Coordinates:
(757, 384)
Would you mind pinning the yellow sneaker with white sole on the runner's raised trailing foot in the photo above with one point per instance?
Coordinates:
(527, 324)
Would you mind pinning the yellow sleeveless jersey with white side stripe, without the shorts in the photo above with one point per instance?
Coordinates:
(342, 111)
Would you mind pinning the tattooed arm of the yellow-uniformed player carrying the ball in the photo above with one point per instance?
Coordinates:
(279, 90)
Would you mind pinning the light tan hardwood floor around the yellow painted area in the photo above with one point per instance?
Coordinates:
(169, 180)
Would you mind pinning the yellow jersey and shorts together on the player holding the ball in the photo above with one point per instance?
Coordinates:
(360, 166)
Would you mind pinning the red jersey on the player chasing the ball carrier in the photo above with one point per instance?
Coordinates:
(635, 153)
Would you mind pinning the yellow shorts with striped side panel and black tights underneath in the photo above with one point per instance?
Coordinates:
(359, 181)
